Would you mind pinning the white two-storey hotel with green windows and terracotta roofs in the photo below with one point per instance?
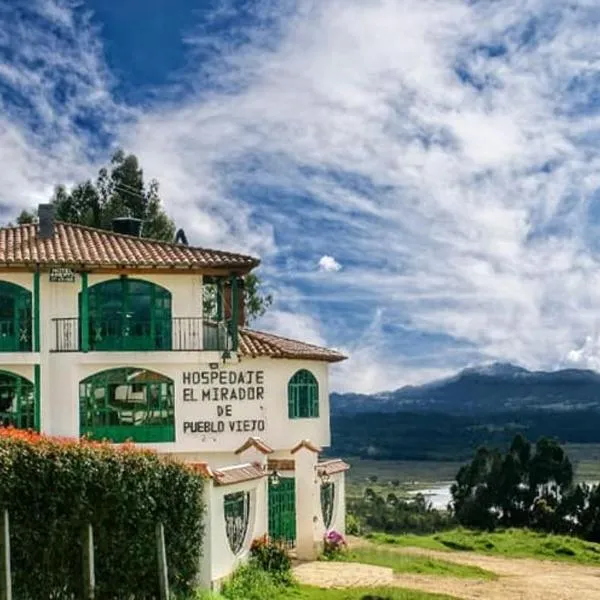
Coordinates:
(105, 335)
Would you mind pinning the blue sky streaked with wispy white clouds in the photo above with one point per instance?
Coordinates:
(420, 177)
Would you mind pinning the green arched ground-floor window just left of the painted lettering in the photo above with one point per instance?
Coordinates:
(127, 404)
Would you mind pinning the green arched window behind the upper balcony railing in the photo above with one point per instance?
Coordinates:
(129, 314)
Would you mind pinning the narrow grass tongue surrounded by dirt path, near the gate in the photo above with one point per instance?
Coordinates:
(406, 563)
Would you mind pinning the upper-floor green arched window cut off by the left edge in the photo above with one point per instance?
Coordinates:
(15, 318)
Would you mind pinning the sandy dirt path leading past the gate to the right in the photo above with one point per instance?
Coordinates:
(519, 579)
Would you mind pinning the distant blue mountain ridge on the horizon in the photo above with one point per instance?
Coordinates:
(486, 389)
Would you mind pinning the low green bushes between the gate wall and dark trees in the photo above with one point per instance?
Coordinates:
(387, 512)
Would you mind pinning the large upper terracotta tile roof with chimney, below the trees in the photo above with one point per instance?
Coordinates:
(74, 245)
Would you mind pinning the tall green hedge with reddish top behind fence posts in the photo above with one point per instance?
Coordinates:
(52, 488)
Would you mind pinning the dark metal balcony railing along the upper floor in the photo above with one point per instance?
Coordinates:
(176, 334)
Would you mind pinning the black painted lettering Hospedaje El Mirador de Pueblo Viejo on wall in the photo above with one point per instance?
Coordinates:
(219, 402)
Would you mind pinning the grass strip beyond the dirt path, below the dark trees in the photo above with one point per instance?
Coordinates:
(518, 543)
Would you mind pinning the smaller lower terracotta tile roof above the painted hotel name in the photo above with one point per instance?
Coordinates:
(258, 343)
